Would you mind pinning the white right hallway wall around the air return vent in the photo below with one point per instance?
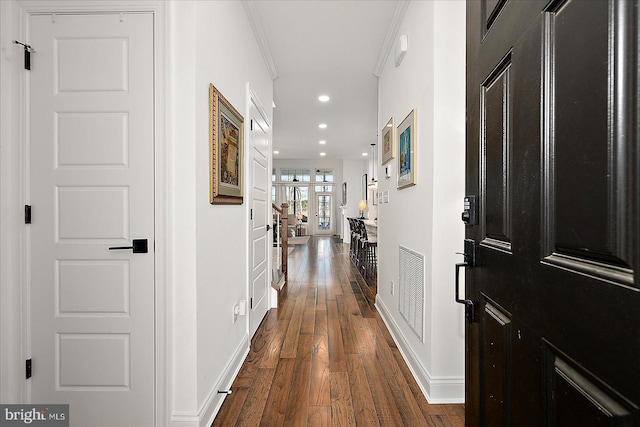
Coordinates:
(426, 218)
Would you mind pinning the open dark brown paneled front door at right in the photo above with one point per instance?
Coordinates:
(553, 156)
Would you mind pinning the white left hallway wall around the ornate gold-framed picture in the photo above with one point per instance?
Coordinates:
(210, 242)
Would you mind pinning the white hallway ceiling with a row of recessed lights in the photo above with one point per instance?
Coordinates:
(331, 47)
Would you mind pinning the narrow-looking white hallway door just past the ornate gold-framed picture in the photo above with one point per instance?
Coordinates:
(261, 209)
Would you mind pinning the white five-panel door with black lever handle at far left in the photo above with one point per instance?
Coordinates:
(91, 181)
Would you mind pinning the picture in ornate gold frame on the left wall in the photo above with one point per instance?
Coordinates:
(226, 151)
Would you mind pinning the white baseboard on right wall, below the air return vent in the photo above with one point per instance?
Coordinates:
(436, 390)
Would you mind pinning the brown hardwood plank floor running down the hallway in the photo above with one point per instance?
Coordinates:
(325, 357)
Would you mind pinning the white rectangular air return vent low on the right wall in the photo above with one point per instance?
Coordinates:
(411, 289)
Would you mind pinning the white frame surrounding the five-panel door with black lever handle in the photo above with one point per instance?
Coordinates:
(14, 161)
